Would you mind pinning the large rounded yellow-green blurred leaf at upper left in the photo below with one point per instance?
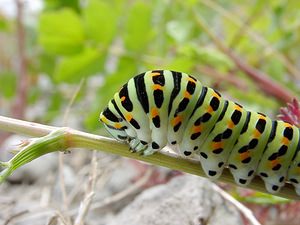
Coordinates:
(61, 32)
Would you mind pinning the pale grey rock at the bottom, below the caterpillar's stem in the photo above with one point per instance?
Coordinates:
(184, 200)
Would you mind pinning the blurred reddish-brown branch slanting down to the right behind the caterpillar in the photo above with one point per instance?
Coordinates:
(266, 84)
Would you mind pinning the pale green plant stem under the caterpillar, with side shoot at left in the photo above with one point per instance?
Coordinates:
(60, 139)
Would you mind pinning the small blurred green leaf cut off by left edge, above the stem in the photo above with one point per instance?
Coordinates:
(9, 79)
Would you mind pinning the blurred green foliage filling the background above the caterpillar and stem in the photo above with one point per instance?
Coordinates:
(106, 42)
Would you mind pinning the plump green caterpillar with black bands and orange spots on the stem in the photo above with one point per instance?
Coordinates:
(163, 107)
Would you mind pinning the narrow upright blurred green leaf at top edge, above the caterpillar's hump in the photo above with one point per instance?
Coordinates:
(138, 30)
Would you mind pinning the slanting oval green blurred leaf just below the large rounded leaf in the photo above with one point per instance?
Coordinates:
(73, 68)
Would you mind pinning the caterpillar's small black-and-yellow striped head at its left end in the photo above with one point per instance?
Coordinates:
(113, 125)
